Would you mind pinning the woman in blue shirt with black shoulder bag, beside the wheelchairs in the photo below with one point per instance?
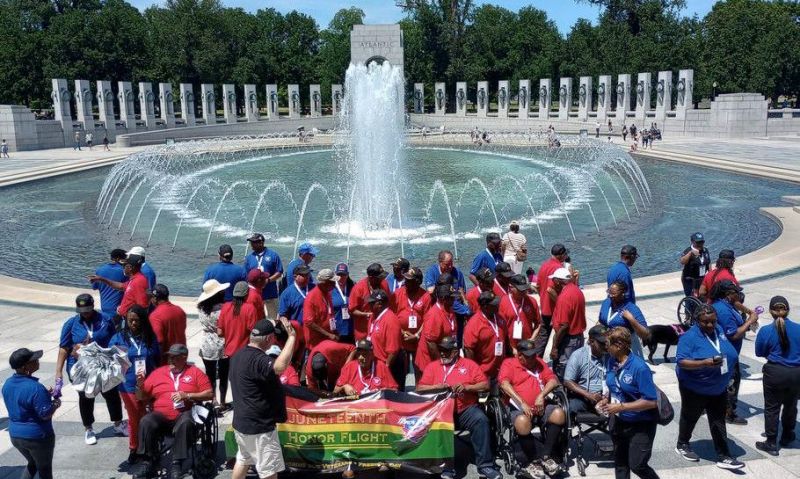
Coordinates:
(632, 400)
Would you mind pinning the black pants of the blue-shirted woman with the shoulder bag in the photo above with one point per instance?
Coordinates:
(633, 446)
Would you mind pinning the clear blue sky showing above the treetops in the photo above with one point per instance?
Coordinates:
(563, 12)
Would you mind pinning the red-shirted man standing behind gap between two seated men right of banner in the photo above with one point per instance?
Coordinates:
(485, 335)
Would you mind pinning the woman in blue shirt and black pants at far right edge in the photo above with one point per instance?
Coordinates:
(779, 343)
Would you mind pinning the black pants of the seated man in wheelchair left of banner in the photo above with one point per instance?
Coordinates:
(155, 426)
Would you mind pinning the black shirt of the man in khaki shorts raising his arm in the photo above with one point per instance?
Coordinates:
(258, 398)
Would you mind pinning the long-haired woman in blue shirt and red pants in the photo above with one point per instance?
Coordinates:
(139, 340)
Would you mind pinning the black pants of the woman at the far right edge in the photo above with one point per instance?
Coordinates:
(781, 390)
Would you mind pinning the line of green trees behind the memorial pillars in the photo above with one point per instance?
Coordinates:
(742, 45)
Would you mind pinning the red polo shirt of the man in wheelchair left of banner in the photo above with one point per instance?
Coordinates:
(160, 385)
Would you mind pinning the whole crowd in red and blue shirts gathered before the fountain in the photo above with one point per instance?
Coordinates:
(263, 324)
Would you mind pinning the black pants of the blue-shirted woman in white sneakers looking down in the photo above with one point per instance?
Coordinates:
(693, 405)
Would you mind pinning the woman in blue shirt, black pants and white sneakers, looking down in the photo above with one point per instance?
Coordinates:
(706, 361)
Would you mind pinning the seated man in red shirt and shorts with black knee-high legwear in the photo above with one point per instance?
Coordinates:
(526, 381)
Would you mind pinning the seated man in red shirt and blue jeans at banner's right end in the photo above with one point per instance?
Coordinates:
(465, 379)
